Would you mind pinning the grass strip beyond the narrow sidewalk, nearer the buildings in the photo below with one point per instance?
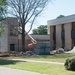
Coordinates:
(53, 58)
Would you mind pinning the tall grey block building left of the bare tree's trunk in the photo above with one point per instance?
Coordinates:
(9, 39)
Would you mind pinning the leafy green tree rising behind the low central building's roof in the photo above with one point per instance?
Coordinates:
(40, 30)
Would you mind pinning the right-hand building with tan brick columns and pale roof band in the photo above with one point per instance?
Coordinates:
(62, 32)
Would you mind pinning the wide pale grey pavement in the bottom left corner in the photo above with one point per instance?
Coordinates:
(10, 71)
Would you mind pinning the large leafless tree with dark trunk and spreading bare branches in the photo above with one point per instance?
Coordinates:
(27, 11)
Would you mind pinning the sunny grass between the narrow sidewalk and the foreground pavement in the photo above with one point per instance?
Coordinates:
(49, 69)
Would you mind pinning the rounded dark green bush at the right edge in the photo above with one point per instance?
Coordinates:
(70, 63)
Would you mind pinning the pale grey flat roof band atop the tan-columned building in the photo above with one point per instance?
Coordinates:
(66, 19)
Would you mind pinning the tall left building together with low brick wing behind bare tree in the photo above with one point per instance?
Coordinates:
(11, 40)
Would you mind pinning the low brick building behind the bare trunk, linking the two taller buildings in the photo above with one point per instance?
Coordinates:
(32, 38)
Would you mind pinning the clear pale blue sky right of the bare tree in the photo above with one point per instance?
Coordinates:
(53, 10)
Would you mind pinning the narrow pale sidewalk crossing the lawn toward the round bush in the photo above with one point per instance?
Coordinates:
(26, 60)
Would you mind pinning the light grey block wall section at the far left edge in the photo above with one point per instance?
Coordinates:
(4, 40)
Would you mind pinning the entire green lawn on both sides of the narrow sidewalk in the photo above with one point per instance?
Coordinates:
(49, 69)
